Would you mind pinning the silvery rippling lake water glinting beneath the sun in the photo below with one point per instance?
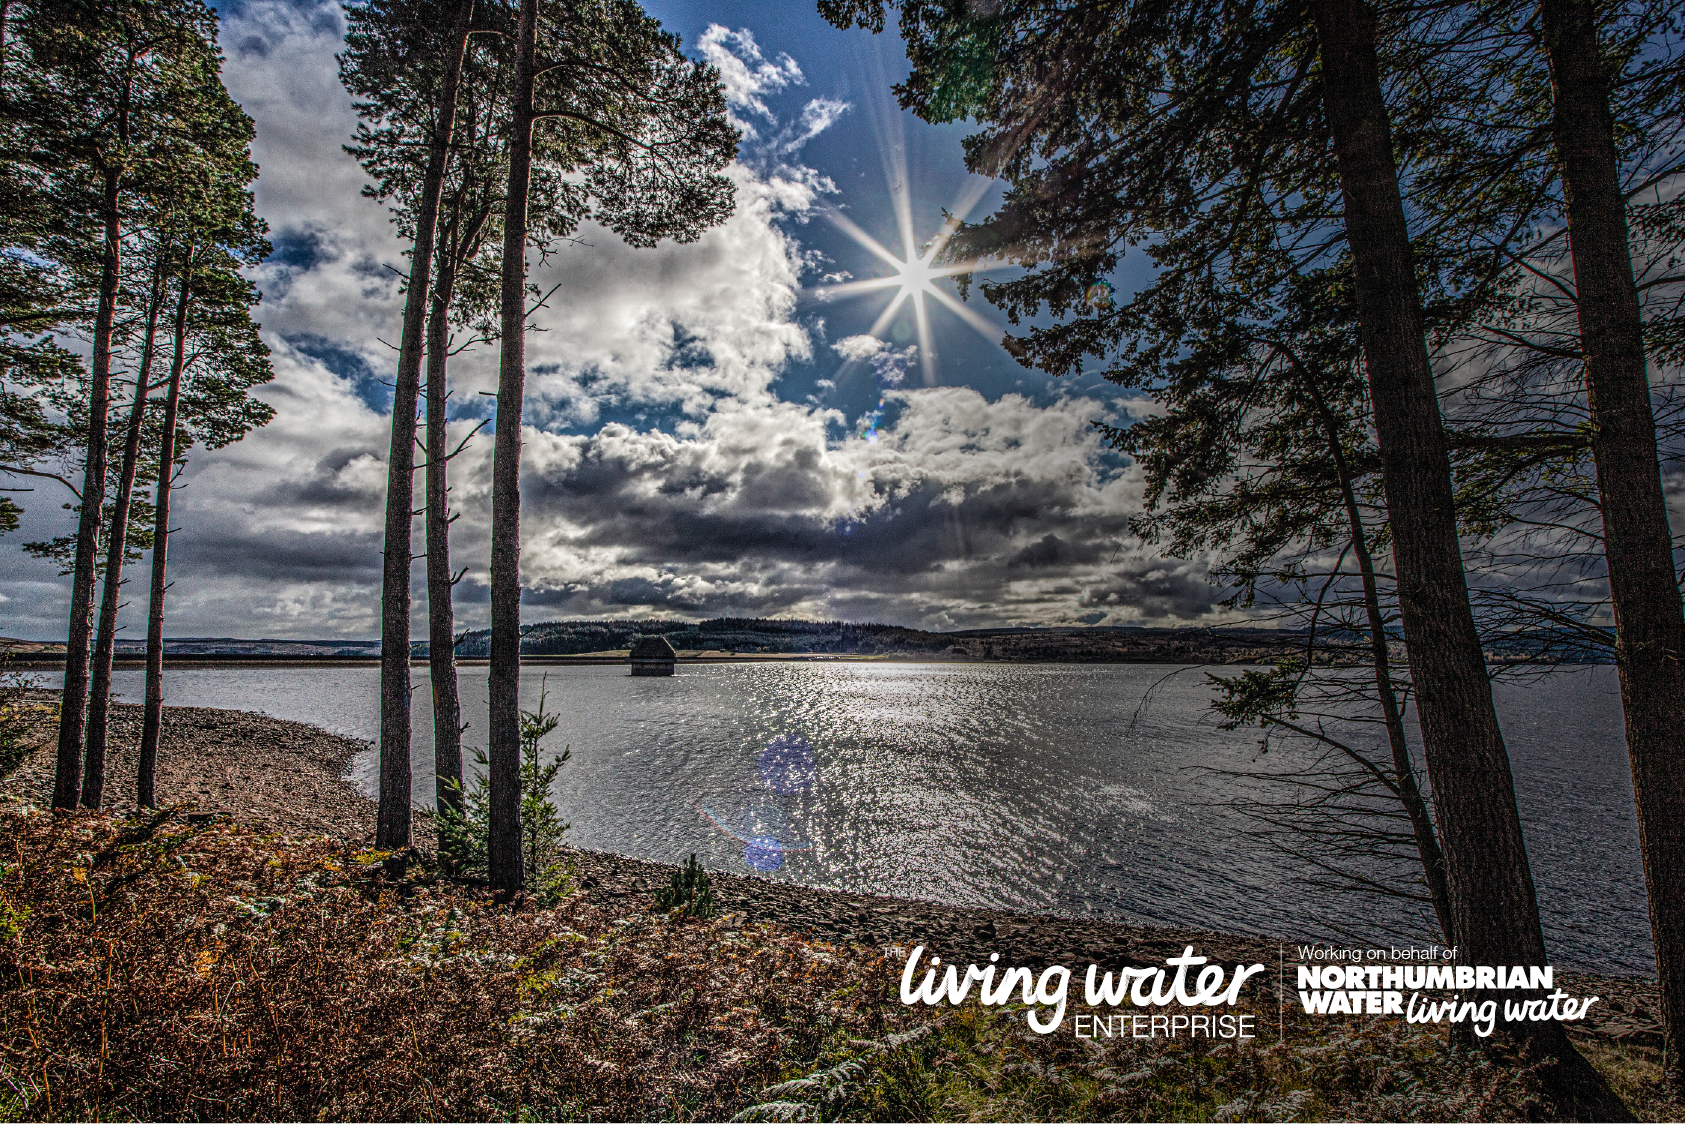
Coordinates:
(1025, 786)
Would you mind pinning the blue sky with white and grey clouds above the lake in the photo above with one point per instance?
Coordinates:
(709, 431)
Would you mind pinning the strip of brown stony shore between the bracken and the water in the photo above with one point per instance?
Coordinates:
(287, 778)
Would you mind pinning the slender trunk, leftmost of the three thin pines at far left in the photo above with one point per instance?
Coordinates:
(73, 702)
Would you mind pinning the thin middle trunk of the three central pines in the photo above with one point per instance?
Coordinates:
(441, 614)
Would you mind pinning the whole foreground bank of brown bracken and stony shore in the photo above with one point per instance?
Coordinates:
(245, 955)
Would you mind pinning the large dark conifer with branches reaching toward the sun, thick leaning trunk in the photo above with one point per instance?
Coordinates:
(1265, 158)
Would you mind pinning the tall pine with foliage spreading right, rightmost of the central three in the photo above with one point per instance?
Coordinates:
(601, 92)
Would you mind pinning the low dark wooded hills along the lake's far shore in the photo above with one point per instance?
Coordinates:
(754, 636)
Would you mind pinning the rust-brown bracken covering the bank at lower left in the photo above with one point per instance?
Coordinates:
(168, 970)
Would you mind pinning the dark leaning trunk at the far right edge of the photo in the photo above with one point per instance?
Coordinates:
(1639, 543)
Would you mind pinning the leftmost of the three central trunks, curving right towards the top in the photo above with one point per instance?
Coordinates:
(393, 818)
